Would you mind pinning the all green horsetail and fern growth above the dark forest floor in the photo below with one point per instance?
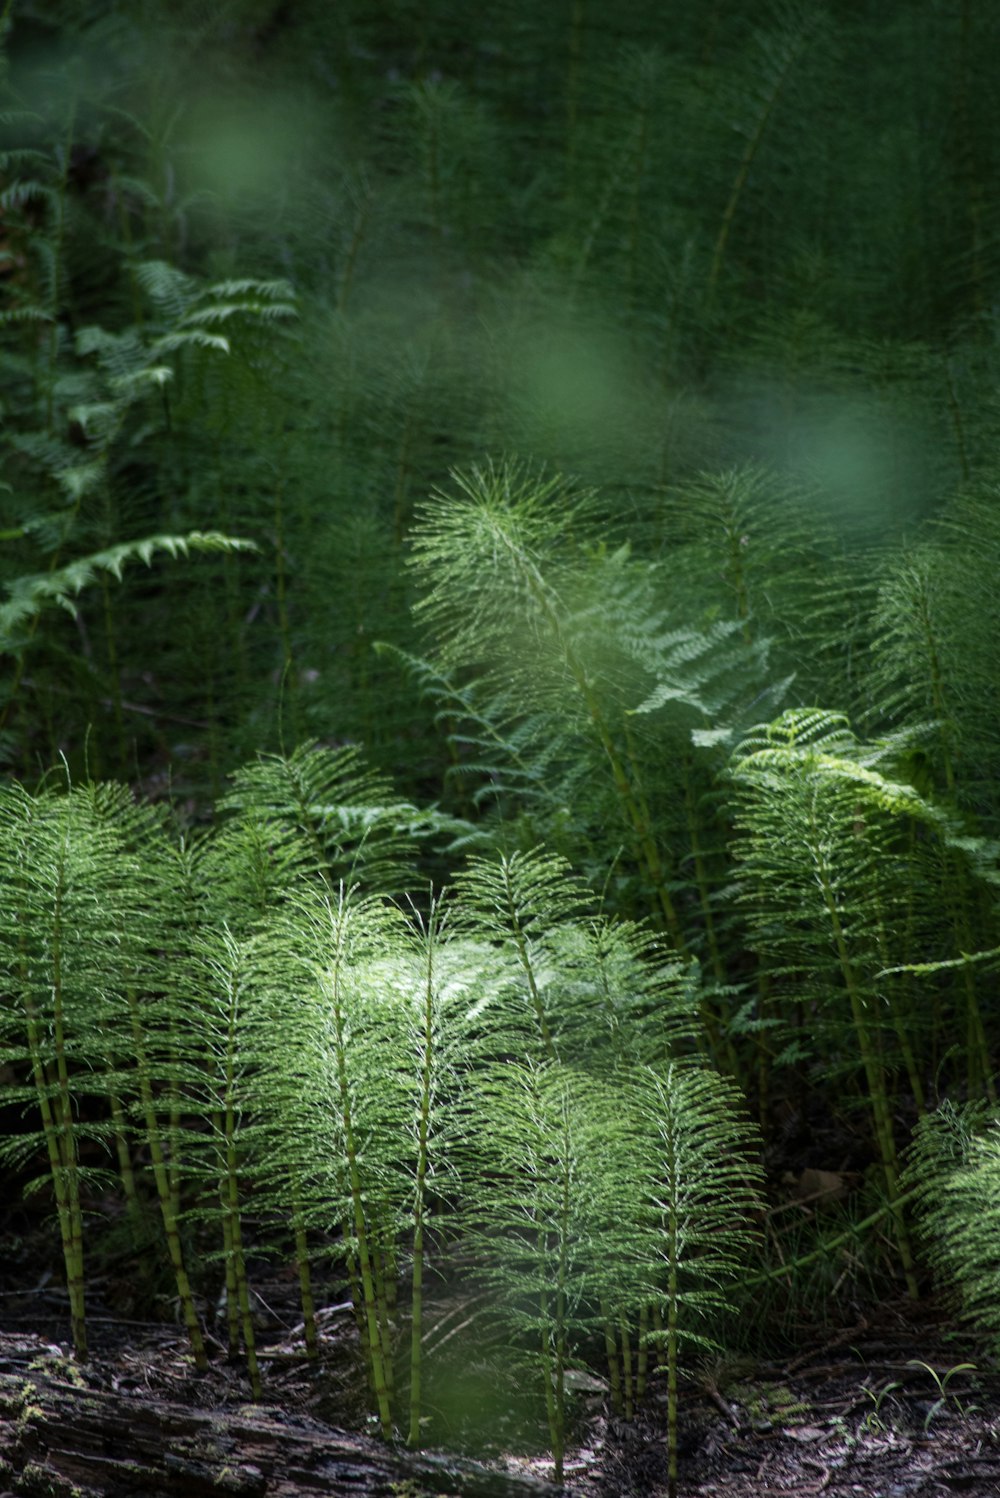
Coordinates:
(501, 720)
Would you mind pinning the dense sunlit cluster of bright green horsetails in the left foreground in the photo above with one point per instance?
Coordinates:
(489, 1076)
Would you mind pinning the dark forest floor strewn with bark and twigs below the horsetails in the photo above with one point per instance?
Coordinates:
(860, 1412)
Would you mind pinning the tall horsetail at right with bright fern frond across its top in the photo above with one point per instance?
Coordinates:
(827, 865)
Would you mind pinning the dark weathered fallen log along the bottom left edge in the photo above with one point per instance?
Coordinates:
(65, 1431)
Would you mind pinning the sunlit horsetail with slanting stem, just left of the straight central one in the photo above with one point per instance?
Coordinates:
(348, 1054)
